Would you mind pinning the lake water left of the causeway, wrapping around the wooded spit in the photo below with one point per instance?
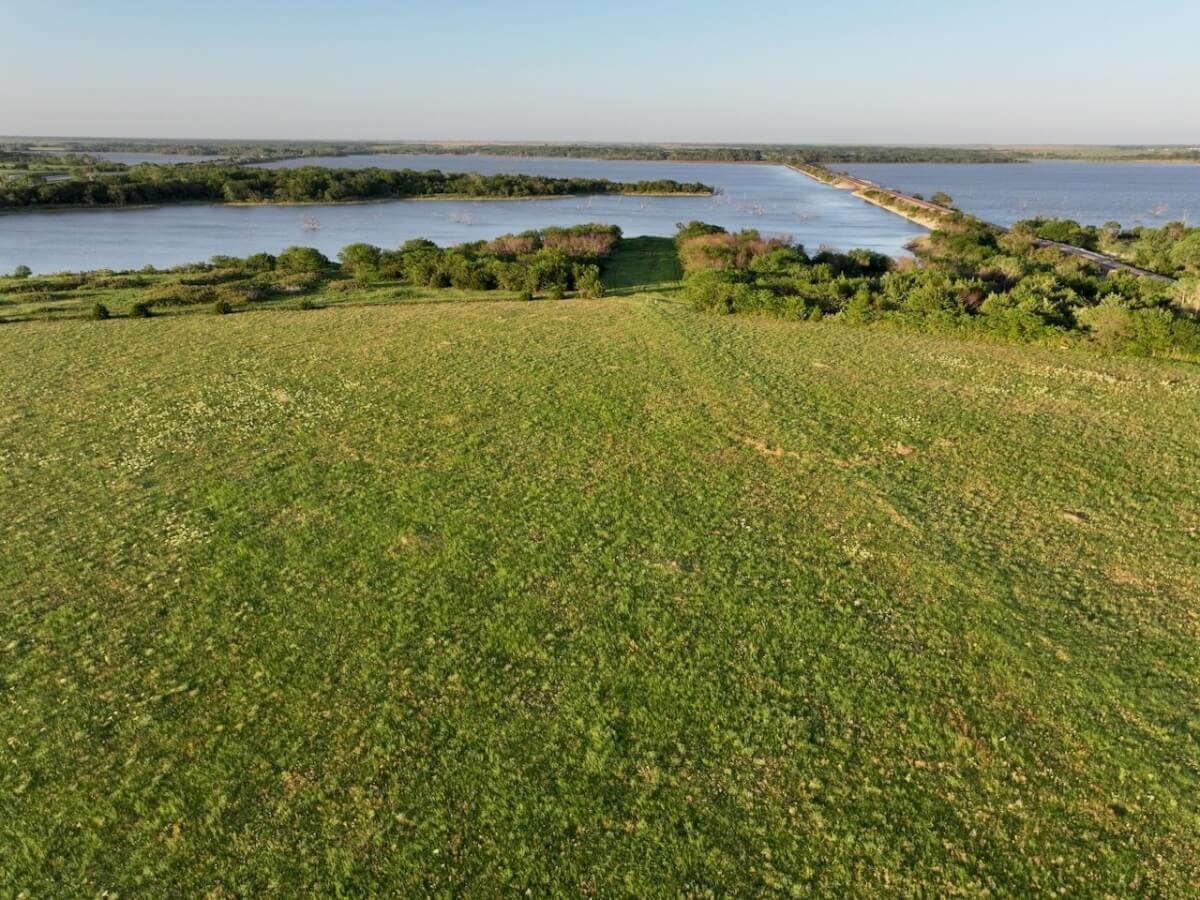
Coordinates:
(772, 199)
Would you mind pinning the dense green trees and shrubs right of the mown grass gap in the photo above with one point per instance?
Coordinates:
(967, 278)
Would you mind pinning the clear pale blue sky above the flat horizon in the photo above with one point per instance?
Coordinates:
(943, 71)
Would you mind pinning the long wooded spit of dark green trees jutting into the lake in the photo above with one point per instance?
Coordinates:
(151, 184)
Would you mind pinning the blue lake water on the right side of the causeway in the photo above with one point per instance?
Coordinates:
(1090, 193)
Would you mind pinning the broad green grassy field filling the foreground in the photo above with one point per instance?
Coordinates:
(592, 598)
